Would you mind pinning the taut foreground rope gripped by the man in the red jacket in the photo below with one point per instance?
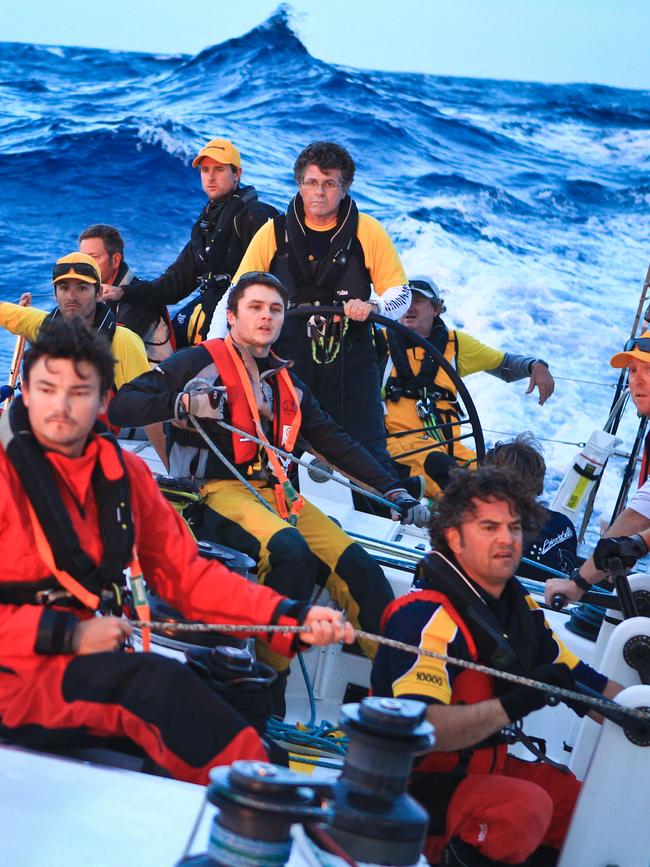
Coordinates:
(557, 691)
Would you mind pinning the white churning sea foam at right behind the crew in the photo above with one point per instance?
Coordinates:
(539, 304)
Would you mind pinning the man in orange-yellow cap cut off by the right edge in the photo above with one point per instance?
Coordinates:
(628, 538)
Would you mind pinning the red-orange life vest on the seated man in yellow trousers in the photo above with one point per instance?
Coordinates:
(243, 385)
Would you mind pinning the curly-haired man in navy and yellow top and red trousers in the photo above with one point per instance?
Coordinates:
(486, 807)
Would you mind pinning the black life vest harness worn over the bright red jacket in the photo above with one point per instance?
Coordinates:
(75, 580)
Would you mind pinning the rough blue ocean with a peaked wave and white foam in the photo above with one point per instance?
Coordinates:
(528, 203)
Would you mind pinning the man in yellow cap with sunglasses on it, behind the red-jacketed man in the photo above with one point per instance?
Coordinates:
(77, 288)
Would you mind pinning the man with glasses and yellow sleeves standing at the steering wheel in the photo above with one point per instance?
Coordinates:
(328, 253)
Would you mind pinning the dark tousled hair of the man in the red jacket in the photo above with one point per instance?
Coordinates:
(72, 338)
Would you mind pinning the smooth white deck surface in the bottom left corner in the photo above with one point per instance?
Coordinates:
(63, 812)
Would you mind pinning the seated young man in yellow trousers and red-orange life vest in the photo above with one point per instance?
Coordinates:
(252, 504)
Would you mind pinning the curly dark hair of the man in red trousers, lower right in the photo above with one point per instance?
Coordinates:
(486, 484)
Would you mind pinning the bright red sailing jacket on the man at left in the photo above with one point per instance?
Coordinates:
(199, 588)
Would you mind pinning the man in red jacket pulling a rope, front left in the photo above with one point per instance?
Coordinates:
(74, 511)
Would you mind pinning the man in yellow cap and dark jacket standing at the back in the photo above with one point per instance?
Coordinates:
(217, 244)
